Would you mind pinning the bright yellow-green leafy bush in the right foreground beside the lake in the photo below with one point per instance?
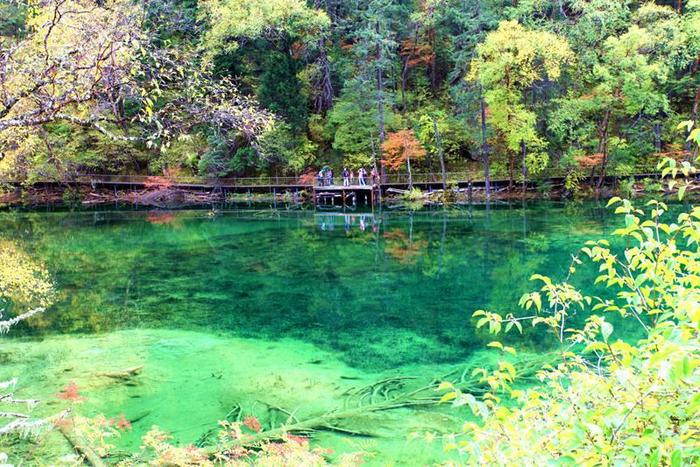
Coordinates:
(606, 401)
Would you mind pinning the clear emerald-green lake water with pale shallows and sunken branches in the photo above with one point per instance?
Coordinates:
(272, 308)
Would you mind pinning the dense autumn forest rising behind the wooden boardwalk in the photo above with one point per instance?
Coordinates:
(235, 88)
